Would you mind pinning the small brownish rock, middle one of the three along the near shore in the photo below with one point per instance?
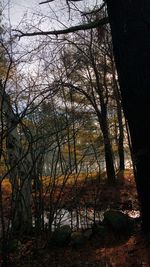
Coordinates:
(78, 239)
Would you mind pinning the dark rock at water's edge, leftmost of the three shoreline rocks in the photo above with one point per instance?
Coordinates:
(61, 236)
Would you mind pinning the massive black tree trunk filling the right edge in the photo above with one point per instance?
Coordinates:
(130, 26)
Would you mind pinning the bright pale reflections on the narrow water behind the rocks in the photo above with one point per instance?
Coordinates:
(81, 217)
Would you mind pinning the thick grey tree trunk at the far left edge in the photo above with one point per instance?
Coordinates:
(19, 168)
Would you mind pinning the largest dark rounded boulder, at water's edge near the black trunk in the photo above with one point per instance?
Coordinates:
(118, 221)
